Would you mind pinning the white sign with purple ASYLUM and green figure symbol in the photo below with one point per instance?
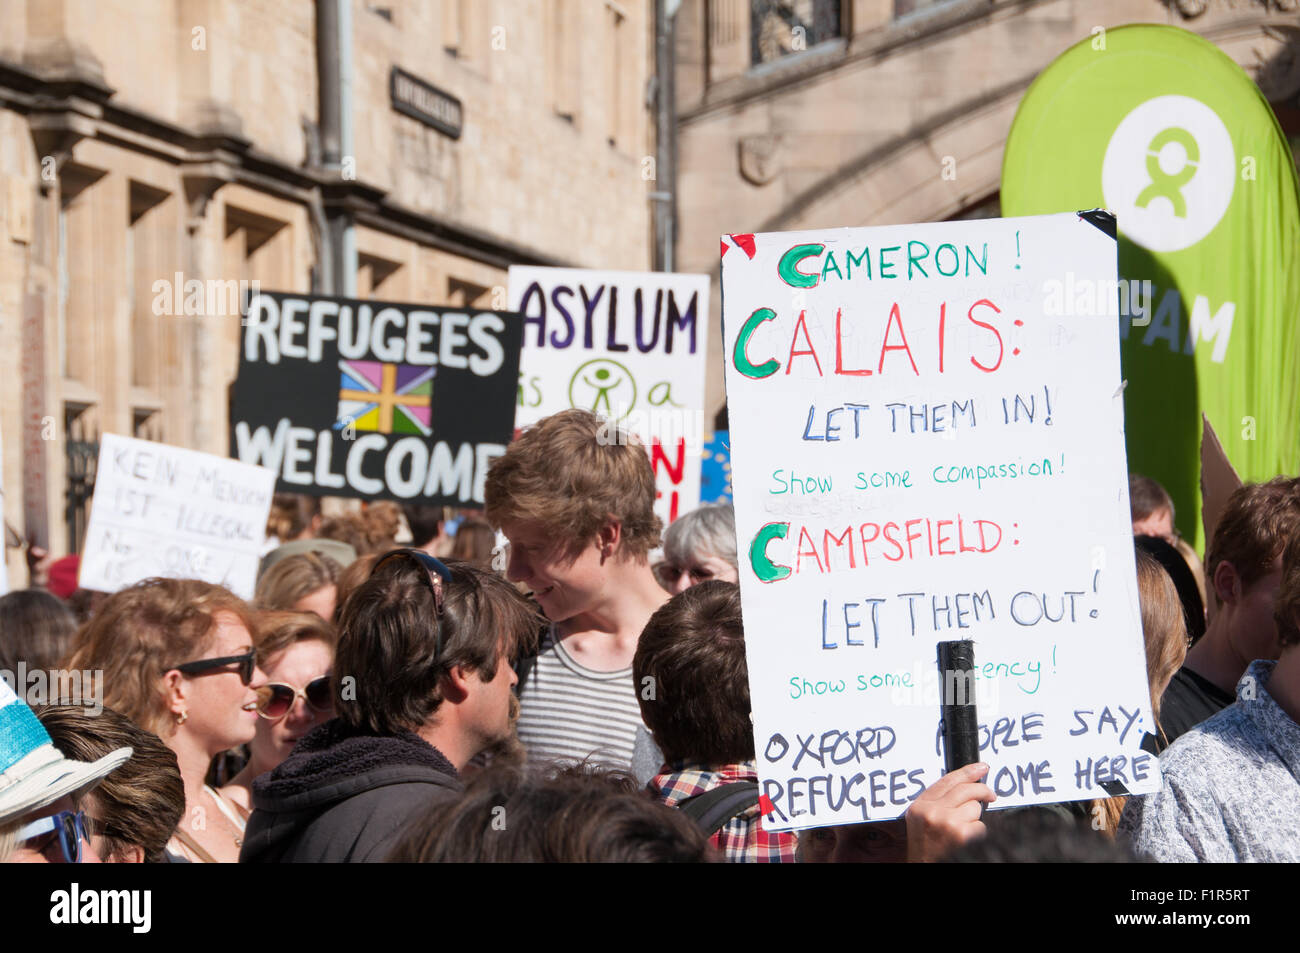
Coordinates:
(629, 346)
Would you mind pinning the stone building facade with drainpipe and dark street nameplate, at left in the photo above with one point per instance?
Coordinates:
(159, 157)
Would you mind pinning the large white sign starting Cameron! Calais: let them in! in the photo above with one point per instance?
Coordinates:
(928, 444)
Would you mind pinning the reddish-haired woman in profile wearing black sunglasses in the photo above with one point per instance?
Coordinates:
(179, 660)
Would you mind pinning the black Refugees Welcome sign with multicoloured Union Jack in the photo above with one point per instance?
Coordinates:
(375, 400)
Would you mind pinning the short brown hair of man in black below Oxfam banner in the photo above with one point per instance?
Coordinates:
(1255, 526)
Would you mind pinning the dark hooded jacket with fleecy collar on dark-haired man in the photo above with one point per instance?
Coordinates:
(344, 796)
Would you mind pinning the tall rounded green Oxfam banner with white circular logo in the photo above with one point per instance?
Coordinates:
(1167, 132)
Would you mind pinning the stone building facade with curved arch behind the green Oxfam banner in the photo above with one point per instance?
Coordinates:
(814, 114)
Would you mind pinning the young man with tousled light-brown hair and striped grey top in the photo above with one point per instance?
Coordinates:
(575, 499)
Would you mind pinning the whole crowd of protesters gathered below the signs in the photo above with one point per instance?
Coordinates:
(402, 688)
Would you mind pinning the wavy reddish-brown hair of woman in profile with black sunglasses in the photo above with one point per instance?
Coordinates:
(146, 630)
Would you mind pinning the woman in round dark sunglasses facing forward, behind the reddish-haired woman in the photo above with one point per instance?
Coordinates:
(297, 652)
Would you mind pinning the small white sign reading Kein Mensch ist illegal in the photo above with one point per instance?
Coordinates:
(167, 512)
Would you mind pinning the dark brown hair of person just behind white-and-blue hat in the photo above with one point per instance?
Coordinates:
(138, 805)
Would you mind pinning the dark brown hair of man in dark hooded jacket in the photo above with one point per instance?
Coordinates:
(391, 634)
